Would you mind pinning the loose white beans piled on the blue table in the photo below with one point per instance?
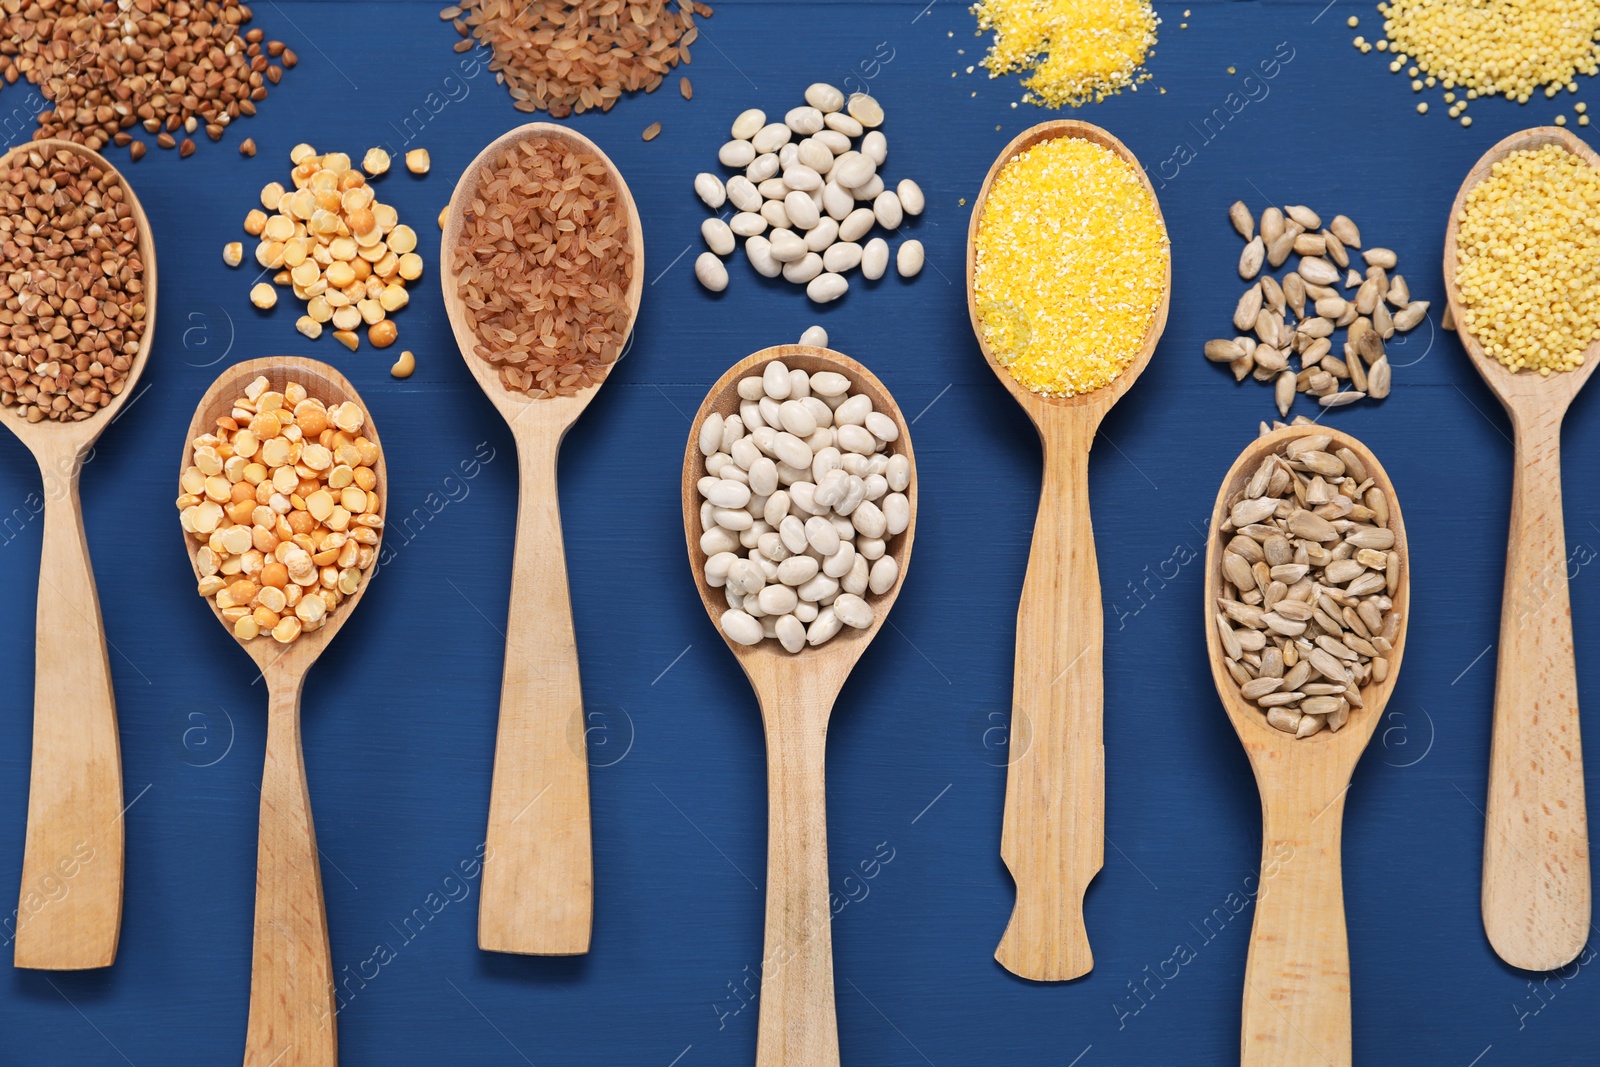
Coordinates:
(806, 209)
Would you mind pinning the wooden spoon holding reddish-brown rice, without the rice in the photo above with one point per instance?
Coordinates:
(538, 871)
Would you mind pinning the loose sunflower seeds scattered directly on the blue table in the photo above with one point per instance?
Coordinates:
(1300, 313)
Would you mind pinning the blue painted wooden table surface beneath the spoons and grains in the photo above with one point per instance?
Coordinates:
(401, 713)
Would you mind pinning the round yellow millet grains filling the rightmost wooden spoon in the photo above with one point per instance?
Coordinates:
(1529, 260)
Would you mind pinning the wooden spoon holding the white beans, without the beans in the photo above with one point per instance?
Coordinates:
(798, 695)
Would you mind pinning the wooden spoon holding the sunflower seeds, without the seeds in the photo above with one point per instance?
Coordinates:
(1298, 973)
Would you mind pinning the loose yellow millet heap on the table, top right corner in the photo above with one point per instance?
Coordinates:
(1502, 47)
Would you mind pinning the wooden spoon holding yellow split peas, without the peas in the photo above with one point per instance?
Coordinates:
(292, 999)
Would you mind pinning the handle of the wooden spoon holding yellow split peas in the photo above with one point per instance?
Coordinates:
(292, 999)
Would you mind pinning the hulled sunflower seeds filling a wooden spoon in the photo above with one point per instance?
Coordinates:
(1310, 577)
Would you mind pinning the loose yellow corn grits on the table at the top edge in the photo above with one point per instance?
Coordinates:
(1076, 50)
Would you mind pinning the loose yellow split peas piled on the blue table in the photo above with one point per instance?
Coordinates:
(337, 247)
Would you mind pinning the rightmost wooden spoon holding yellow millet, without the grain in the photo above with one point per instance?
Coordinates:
(1537, 833)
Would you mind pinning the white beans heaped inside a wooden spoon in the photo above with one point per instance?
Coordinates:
(801, 500)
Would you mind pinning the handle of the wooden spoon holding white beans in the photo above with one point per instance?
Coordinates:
(798, 1023)
